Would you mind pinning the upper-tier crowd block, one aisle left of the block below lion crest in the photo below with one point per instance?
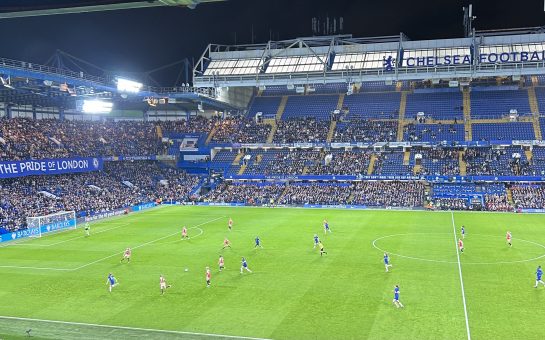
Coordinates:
(303, 130)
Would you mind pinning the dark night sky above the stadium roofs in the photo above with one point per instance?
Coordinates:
(143, 39)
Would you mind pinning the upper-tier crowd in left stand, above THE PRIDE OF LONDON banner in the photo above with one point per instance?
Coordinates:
(22, 138)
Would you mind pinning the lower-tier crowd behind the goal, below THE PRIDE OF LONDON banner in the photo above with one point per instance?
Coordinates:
(89, 193)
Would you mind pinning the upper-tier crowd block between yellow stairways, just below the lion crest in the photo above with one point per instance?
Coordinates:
(365, 131)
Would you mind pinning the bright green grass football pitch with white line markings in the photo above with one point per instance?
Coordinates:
(56, 285)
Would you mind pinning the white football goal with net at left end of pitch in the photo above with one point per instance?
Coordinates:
(38, 225)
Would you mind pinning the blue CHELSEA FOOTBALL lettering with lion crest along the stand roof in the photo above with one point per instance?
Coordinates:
(389, 62)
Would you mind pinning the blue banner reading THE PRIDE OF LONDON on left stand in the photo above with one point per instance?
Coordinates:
(10, 169)
